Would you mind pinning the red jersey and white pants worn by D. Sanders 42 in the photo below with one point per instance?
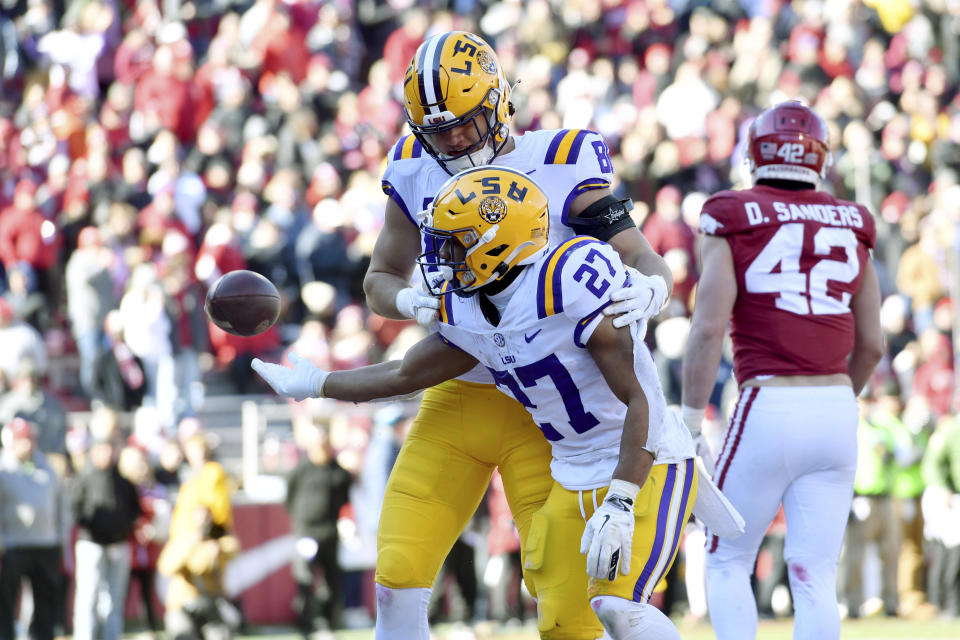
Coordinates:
(799, 258)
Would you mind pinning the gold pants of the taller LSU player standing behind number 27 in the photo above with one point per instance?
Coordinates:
(461, 433)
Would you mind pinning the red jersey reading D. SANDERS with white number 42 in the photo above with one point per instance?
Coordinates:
(798, 258)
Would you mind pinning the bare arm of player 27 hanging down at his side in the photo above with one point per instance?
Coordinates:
(612, 350)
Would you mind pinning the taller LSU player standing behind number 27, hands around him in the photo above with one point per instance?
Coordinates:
(457, 103)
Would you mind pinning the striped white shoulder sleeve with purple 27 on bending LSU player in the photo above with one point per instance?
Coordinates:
(576, 281)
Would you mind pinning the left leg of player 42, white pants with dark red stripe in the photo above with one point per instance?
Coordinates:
(751, 476)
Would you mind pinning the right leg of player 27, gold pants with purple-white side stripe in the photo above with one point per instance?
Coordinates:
(662, 509)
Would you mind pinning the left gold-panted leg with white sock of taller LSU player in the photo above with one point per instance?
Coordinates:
(433, 490)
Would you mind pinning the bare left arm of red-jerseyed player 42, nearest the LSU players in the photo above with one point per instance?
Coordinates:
(716, 294)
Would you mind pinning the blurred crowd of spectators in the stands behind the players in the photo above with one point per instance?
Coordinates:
(148, 147)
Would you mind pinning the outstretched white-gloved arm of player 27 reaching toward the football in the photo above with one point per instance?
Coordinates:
(427, 363)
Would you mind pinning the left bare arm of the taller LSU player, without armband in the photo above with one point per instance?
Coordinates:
(394, 256)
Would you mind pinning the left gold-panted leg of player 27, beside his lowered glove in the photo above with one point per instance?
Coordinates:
(555, 565)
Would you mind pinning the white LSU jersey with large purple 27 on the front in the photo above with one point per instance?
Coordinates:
(537, 354)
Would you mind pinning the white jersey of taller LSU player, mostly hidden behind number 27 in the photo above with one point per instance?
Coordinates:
(563, 162)
